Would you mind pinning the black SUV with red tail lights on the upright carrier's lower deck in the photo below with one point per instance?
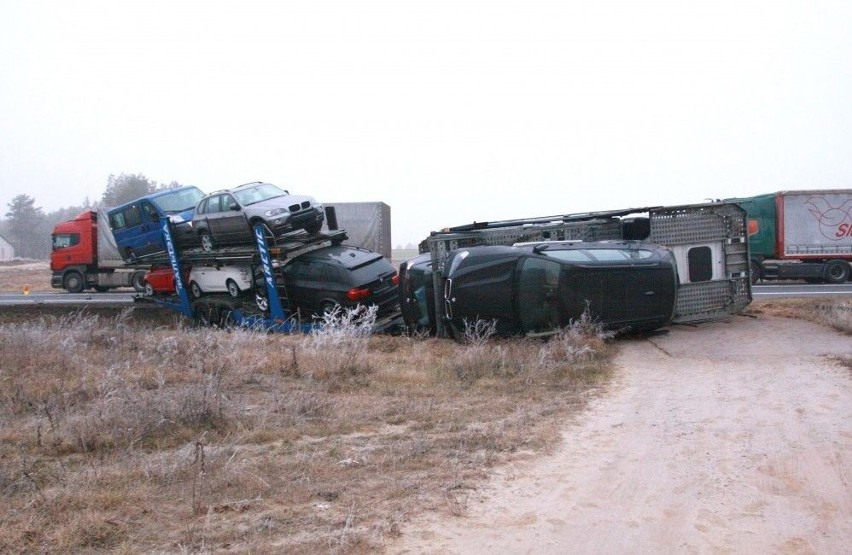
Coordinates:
(336, 276)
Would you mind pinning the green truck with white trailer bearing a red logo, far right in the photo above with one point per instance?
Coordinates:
(800, 235)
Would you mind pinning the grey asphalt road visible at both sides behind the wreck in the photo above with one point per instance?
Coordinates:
(113, 298)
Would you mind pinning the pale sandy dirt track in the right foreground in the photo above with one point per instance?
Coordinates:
(726, 437)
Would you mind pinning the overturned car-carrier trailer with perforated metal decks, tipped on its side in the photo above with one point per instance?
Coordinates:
(709, 242)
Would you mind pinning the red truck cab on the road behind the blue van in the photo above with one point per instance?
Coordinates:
(84, 256)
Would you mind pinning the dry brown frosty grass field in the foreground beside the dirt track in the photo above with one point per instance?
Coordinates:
(127, 435)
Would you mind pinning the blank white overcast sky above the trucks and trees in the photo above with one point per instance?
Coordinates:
(448, 111)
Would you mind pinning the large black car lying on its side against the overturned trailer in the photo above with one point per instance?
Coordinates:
(537, 288)
